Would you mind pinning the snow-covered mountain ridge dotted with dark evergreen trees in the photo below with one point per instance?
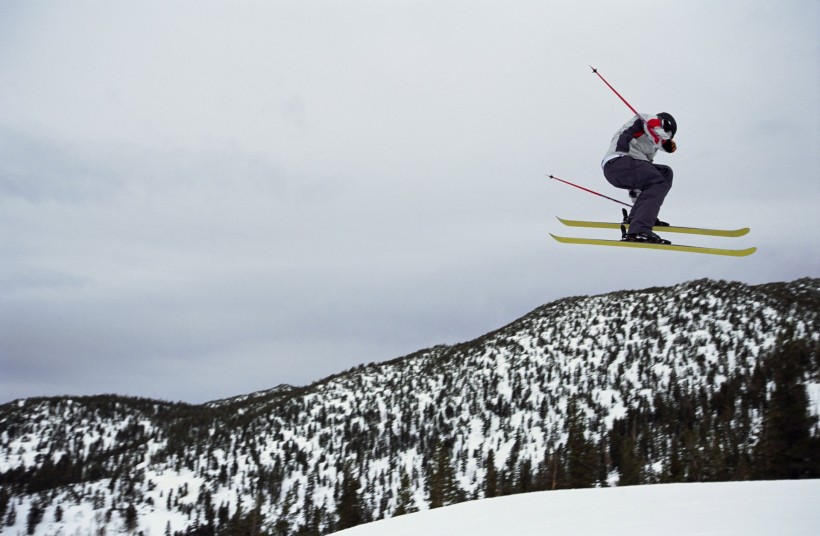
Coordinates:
(658, 385)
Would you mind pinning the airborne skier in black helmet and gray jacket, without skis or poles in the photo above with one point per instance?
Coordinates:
(628, 164)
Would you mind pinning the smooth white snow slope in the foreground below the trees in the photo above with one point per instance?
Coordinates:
(782, 508)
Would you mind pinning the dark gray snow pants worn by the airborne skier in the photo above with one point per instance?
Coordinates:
(653, 180)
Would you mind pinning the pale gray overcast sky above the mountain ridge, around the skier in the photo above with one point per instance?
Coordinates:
(200, 199)
